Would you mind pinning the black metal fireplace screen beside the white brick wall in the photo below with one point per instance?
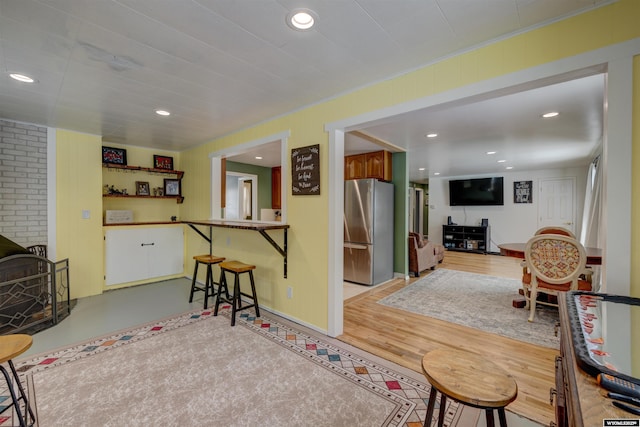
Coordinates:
(34, 292)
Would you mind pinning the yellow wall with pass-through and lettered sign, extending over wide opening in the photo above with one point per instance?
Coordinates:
(308, 257)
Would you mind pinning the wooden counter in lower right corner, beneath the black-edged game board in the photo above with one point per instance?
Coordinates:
(580, 401)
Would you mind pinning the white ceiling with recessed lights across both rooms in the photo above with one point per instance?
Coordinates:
(104, 67)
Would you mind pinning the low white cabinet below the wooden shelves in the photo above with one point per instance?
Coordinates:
(134, 253)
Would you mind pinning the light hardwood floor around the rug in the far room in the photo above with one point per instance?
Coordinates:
(404, 337)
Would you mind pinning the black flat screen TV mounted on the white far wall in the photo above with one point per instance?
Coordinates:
(476, 192)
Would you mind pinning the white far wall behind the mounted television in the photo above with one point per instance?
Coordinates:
(509, 223)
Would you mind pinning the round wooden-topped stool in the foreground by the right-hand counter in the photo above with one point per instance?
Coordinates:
(468, 379)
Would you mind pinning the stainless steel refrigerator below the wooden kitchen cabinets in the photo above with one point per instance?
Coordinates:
(368, 231)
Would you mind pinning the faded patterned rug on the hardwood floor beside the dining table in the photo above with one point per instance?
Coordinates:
(477, 301)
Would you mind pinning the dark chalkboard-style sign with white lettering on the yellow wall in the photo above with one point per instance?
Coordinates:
(305, 170)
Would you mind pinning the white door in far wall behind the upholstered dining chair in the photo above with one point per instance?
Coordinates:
(557, 203)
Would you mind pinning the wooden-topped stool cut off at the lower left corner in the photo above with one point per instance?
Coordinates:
(10, 347)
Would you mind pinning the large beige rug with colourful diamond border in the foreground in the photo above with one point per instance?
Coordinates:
(195, 369)
